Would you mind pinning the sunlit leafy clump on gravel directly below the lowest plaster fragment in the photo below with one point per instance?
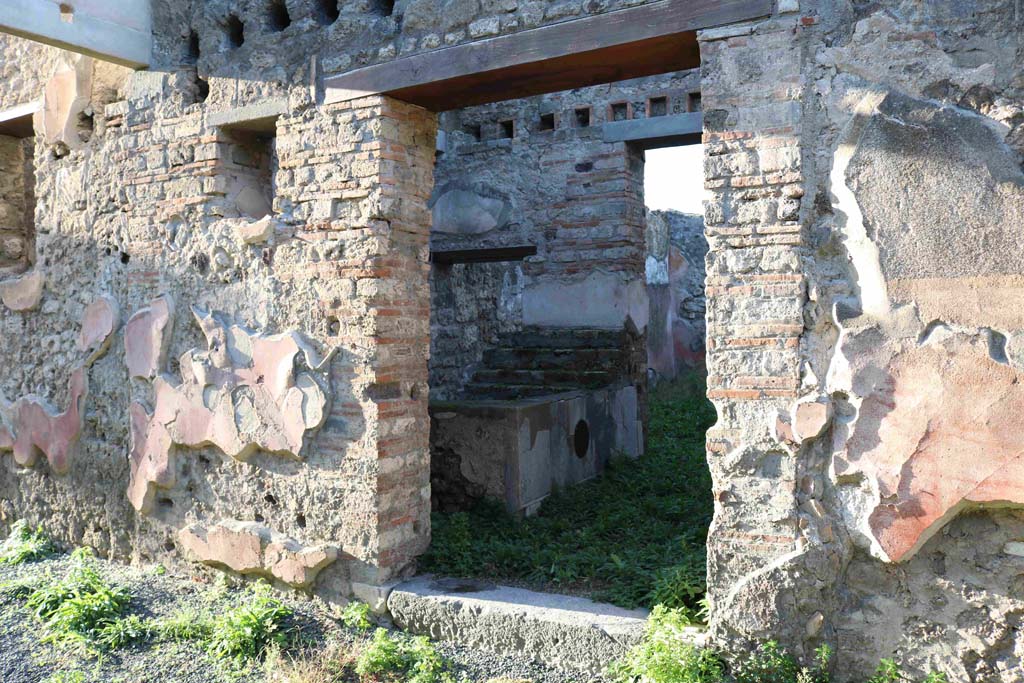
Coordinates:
(247, 631)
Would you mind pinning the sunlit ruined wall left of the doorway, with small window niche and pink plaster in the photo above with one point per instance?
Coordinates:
(224, 353)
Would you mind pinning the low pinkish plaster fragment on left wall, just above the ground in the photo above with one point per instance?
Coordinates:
(249, 548)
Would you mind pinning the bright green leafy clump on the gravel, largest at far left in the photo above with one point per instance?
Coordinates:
(79, 606)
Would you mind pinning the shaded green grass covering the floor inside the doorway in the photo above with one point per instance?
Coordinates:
(635, 537)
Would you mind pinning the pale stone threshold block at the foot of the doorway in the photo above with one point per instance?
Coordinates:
(561, 631)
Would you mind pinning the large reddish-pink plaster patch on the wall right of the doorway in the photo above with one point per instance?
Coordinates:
(946, 432)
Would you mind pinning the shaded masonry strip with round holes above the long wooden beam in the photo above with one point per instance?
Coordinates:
(265, 44)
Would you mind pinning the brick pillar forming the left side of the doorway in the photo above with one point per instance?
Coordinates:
(360, 176)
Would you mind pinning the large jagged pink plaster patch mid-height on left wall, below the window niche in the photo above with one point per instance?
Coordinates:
(242, 395)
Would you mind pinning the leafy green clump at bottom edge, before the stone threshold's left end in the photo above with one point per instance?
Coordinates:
(408, 661)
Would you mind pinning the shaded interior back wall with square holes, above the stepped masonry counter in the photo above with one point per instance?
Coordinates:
(536, 173)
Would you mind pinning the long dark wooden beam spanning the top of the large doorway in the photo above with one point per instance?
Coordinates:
(656, 38)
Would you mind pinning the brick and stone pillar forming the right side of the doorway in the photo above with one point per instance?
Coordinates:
(770, 574)
